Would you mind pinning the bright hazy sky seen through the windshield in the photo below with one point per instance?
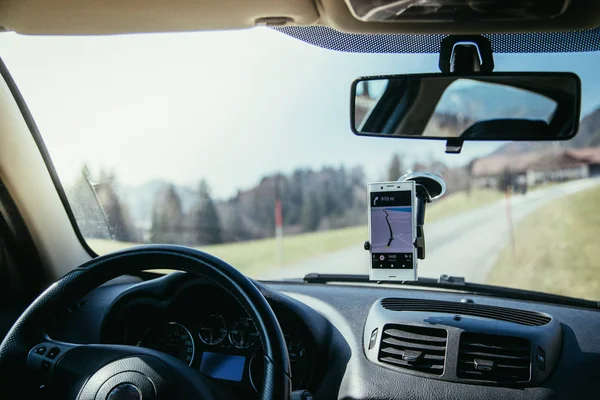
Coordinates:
(229, 107)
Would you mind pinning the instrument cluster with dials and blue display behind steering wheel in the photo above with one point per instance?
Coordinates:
(220, 341)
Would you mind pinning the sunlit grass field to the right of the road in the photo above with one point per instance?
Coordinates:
(557, 249)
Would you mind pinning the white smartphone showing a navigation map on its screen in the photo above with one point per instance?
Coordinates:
(392, 231)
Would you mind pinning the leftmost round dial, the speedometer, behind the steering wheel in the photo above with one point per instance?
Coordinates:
(171, 338)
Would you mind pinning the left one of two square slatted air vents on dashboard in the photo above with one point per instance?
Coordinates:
(412, 347)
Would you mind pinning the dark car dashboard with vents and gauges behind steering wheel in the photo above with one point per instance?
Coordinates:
(353, 342)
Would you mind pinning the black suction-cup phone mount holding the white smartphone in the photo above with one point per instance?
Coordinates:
(428, 188)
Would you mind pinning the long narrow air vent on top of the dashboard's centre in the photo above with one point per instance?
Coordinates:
(529, 318)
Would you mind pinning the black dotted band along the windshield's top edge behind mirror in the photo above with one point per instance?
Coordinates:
(544, 42)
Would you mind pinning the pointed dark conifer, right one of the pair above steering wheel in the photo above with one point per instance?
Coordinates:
(204, 221)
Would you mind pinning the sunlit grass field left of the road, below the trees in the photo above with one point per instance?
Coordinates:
(254, 257)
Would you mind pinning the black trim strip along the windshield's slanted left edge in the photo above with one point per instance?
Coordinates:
(39, 141)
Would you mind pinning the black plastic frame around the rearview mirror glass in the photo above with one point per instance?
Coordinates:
(572, 108)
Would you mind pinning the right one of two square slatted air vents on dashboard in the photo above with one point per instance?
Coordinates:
(501, 359)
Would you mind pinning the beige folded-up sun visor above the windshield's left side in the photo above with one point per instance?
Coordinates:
(64, 17)
